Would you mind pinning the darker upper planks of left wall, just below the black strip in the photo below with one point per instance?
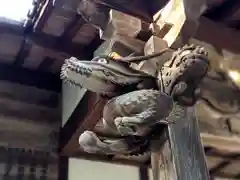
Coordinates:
(28, 102)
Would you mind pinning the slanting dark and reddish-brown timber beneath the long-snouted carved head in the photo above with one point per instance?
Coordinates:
(85, 116)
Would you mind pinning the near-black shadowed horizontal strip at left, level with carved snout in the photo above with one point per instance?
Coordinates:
(25, 76)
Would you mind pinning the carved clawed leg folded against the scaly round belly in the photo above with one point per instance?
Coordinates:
(138, 123)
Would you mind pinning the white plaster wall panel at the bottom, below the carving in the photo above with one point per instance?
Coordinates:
(90, 170)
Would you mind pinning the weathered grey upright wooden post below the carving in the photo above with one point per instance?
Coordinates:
(185, 148)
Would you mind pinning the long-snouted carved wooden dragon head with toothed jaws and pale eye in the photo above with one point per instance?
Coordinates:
(102, 74)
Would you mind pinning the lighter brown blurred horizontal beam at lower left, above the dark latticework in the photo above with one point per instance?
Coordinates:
(24, 133)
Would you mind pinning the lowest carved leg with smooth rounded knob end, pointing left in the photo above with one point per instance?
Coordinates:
(91, 143)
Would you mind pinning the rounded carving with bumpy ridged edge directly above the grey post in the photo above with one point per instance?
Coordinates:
(188, 66)
